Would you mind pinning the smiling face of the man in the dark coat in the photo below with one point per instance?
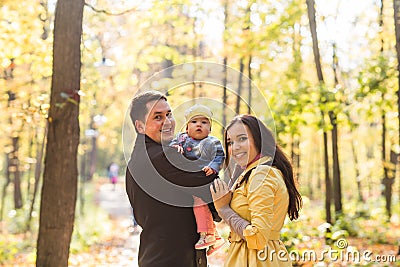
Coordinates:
(159, 123)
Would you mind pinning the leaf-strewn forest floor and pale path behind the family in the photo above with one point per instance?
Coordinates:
(120, 246)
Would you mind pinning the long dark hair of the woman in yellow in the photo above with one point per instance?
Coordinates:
(266, 145)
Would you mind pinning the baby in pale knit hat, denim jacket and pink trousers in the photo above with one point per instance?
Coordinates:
(197, 144)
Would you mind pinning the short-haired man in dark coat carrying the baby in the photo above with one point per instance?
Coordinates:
(159, 191)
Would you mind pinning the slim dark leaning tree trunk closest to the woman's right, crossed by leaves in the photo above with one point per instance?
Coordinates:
(313, 29)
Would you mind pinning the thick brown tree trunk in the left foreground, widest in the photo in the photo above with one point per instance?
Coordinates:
(57, 209)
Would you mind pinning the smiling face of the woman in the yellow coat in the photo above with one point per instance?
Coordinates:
(241, 147)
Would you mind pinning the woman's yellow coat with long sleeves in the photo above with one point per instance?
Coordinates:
(263, 201)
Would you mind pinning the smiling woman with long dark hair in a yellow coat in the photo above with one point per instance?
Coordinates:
(256, 204)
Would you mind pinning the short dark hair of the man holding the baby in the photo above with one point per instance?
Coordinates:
(138, 108)
